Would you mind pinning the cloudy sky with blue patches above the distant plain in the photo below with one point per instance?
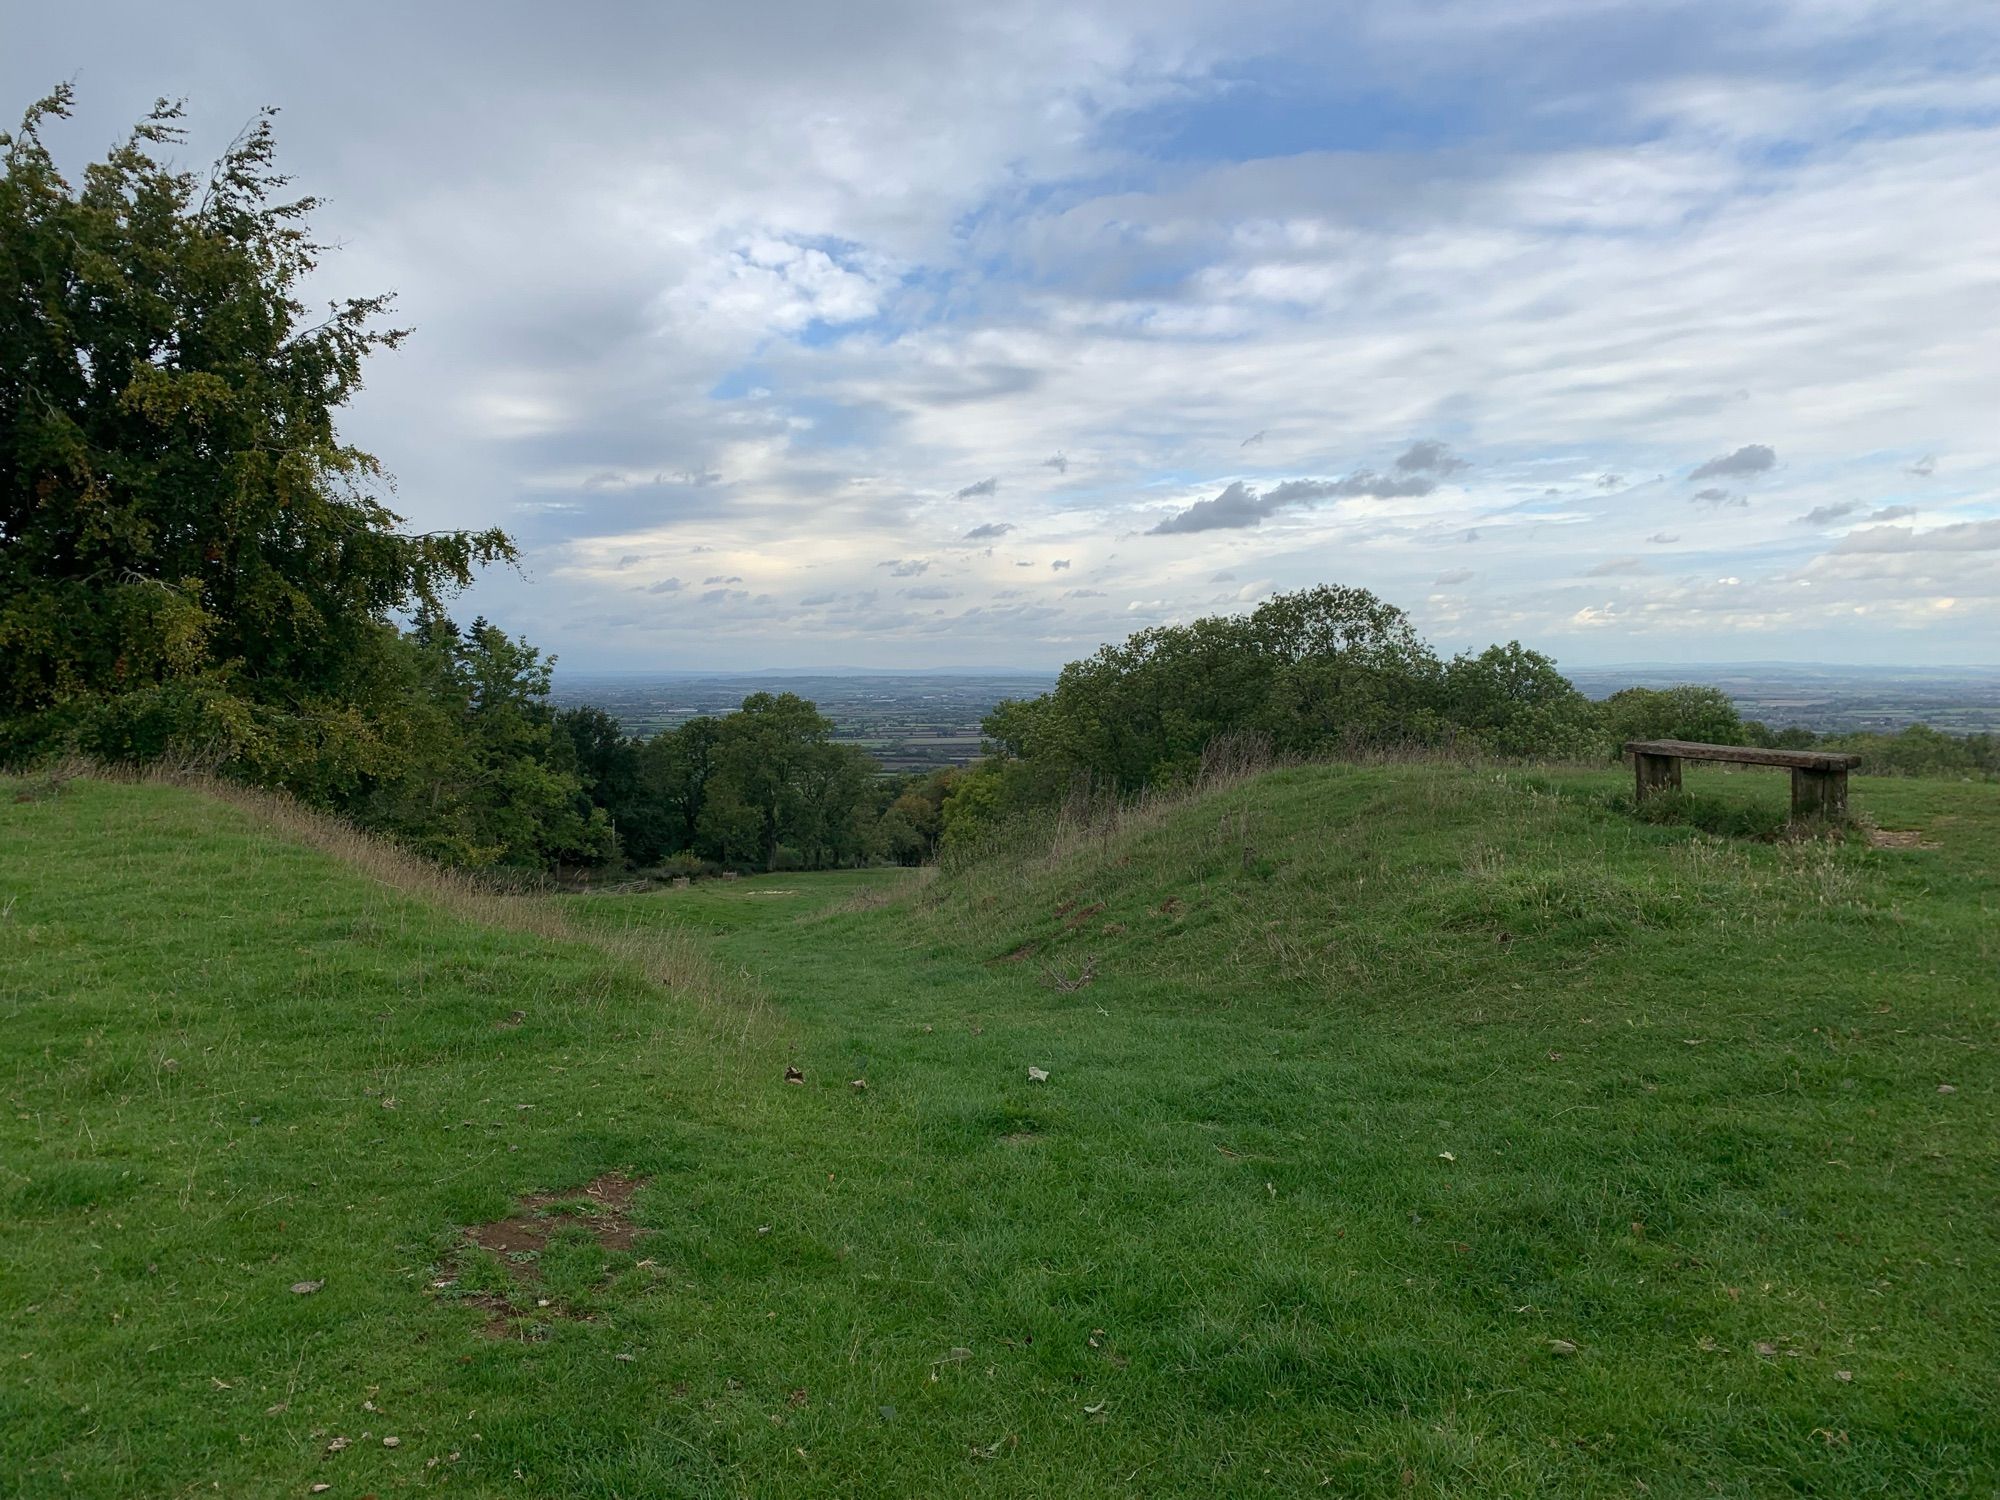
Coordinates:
(951, 335)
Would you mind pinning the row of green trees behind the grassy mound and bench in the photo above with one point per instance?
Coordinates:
(1337, 671)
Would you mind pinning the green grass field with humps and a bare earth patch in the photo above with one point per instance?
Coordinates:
(1407, 1131)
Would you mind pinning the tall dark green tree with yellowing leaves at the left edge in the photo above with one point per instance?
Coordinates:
(189, 553)
